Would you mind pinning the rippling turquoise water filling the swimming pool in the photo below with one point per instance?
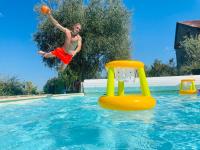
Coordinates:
(79, 123)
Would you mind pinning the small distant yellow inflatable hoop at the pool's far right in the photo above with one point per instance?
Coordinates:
(187, 86)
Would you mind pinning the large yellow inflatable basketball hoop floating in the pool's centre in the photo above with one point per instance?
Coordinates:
(121, 70)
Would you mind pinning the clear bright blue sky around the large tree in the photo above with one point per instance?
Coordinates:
(152, 34)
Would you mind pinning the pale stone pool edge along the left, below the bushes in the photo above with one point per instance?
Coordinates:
(4, 99)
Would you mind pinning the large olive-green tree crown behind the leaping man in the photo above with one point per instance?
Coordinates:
(105, 34)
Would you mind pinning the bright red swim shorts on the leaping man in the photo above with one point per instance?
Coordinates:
(62, 55)
